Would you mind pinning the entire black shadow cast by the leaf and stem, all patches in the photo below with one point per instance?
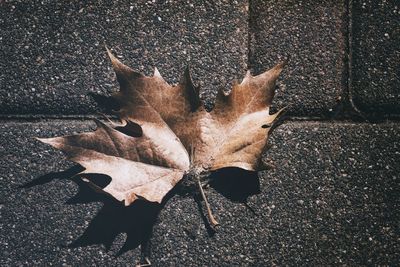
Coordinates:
(138, 219)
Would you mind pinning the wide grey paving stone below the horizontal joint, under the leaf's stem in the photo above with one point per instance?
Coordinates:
(332, 199)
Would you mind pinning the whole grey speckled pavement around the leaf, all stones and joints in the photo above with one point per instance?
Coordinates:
(332, 195)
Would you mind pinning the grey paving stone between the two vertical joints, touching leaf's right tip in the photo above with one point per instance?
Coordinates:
(313, 35)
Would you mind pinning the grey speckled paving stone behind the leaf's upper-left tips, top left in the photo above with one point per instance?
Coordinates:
(53, 53)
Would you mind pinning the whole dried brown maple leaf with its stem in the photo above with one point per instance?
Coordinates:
(167, 133)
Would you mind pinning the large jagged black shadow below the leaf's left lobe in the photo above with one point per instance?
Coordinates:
(136, 220)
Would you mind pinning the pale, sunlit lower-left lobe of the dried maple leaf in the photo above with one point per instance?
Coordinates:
(139, 166)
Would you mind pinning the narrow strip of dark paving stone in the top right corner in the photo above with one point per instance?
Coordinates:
(376, 56)
